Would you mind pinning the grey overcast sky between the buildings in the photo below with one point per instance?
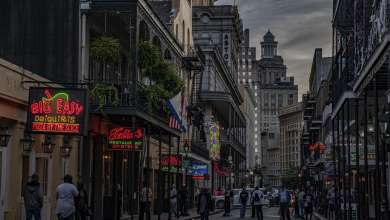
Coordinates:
(299, 26)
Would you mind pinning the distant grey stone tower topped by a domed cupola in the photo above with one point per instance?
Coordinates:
(275, 91)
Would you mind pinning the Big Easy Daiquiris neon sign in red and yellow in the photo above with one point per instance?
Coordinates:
(57, 110)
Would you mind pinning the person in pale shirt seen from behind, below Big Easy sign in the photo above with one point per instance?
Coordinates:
(66, 194)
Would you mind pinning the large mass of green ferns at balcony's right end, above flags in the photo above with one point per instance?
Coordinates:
(166, 81)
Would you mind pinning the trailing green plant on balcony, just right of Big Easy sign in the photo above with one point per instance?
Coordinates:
(102, 91)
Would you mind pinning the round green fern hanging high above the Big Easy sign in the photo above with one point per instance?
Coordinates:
(105, 49)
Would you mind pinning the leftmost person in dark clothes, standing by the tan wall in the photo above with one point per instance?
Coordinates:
(33, 198)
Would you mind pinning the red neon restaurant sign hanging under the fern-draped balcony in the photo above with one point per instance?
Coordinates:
(124, 138)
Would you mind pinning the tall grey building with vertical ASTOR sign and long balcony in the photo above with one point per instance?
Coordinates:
(219, 95)
